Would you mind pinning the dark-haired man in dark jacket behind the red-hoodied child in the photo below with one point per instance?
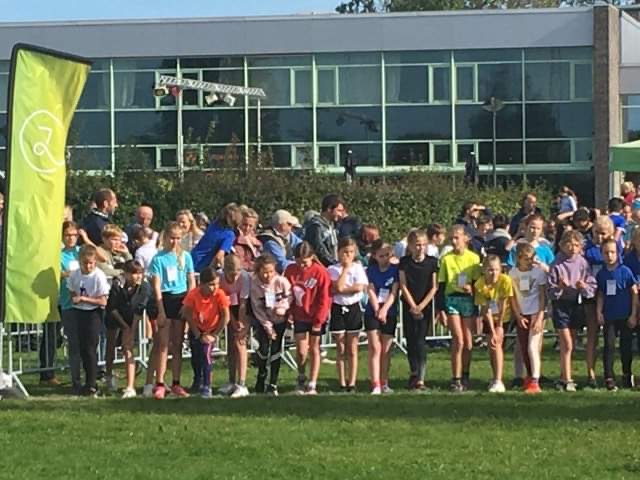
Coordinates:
(321, 230)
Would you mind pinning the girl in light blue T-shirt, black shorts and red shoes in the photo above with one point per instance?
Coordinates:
(172, 275)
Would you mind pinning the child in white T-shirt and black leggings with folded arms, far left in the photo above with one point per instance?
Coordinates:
(89, 289)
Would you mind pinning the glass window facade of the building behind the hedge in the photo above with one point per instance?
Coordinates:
(393, 110)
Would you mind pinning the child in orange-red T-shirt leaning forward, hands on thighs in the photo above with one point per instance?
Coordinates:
(206, 309)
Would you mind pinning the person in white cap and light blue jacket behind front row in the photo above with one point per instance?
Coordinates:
(279, 240)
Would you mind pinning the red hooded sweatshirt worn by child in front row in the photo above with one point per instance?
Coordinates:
(311, 293)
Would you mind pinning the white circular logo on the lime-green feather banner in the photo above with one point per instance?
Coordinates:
(39, 156)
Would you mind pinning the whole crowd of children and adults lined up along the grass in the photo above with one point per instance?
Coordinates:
(485, 275)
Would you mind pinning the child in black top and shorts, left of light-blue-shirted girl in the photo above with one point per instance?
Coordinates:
(127, 302)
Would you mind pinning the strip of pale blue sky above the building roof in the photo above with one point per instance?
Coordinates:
(43, 10)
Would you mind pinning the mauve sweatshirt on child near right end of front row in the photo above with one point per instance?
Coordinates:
(571, 270)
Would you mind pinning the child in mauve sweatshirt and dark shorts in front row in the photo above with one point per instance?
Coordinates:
(570, 282)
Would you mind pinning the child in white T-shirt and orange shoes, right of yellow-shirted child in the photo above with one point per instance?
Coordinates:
(528, 303)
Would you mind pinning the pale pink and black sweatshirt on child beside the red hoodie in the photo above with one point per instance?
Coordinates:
(266, 298)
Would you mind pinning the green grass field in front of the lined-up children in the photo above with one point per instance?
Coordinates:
(403, 435)
